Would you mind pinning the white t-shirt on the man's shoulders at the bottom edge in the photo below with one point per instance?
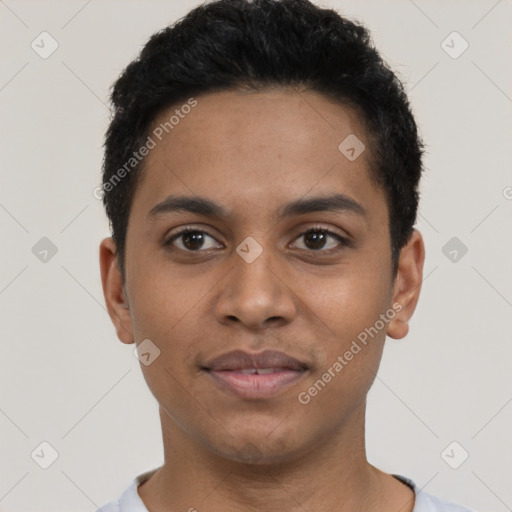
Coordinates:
(130, 500)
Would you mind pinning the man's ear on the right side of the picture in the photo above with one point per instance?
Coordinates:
(406, 291)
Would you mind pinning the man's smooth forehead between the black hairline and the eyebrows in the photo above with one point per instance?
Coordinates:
(255, 149)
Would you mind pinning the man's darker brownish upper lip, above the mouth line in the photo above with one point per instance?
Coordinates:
(240, 360)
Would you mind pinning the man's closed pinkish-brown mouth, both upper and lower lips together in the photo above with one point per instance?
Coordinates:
(237, 373)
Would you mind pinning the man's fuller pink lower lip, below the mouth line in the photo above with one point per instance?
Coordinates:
(254, 385)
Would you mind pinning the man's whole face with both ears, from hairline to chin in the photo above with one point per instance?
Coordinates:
(300, 287)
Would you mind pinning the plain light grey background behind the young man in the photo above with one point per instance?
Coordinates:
(67, 380)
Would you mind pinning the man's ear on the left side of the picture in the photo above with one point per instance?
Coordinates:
(116, 299)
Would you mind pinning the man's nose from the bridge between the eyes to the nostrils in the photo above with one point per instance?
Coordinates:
(255, 291)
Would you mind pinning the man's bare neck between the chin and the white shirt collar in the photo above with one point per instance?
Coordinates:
(333, 474)
